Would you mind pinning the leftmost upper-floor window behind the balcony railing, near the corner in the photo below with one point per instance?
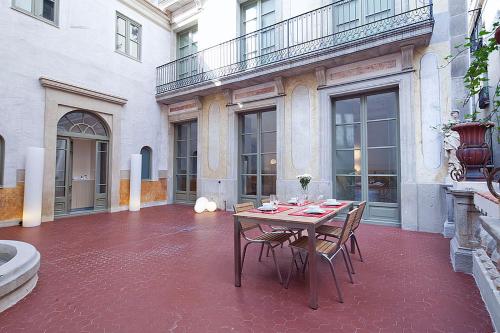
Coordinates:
(187, 44)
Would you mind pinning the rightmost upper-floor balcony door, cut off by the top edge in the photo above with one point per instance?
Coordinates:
(350, 14)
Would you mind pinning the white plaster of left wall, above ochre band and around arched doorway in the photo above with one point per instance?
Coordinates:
(81, 51)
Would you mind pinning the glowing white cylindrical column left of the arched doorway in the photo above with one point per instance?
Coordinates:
(33, 187)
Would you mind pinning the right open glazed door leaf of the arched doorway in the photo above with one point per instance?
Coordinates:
(101, 175)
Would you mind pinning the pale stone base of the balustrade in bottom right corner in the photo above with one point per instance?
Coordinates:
(489, 291)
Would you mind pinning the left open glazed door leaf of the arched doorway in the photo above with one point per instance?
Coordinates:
(62, 203)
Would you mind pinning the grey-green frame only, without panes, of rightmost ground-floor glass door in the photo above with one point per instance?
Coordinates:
(364, 152)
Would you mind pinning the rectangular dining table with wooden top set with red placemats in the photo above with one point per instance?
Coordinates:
(293, 217)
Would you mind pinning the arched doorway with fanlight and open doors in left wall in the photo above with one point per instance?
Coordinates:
(82, 150)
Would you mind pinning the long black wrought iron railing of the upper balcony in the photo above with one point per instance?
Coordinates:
(338, 24)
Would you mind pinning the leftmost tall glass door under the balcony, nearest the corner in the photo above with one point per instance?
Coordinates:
(185, 164)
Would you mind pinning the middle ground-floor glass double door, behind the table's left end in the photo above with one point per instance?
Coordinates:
(257, 156)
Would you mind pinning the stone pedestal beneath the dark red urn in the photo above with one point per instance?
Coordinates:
(467, 223)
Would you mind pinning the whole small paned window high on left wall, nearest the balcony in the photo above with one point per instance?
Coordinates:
(128, 37)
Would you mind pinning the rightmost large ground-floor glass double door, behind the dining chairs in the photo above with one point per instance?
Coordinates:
(366, 154)
